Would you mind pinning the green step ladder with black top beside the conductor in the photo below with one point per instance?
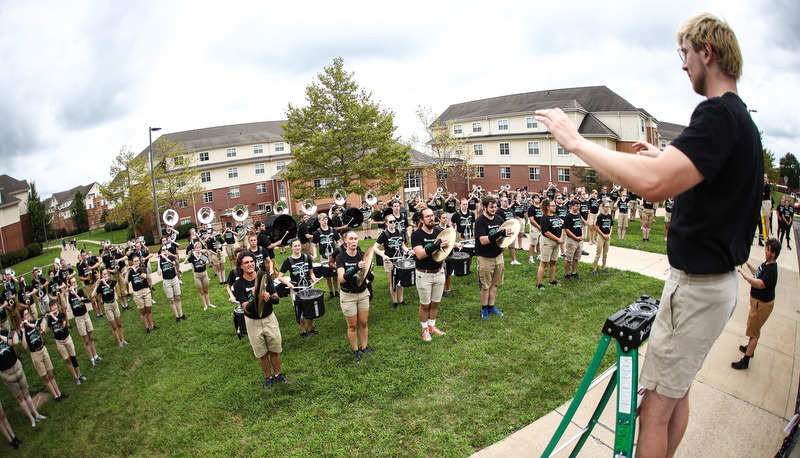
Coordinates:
(630, 327)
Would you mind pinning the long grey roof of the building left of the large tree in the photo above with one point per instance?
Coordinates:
(226, 136)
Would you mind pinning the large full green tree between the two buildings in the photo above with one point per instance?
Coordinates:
(342, 136)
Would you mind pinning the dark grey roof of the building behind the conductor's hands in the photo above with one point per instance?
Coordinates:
(590, 99)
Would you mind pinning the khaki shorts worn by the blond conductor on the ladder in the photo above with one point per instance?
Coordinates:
(693, 312)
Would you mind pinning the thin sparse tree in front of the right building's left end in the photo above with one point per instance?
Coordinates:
(446, 152)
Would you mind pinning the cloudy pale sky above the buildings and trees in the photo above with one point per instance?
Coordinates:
(81, 79)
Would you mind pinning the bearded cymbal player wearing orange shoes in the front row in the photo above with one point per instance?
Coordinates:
(430, 275)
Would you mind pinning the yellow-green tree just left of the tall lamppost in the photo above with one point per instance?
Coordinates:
(129, 190)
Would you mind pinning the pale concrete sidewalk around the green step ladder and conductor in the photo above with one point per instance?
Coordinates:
(733, 413)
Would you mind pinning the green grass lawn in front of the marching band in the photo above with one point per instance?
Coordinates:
(195, 389)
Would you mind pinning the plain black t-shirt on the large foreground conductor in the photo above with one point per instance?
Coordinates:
(713, 223)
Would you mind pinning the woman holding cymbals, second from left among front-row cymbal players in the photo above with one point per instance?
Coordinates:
(355, 298)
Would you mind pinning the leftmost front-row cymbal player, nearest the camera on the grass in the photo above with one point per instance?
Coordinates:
(262, 324)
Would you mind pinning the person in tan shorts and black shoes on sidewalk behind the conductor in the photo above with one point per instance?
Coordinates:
(762, 298)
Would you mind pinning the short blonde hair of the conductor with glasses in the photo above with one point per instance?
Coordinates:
(707, 28)
